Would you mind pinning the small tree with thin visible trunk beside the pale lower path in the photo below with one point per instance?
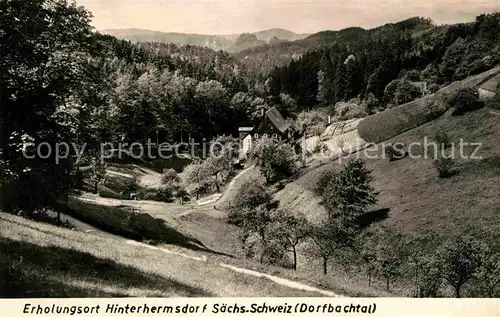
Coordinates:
(291, 230)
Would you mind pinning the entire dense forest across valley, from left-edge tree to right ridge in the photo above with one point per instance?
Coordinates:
(62, 82)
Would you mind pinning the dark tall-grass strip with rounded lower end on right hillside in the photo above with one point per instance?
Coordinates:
(392, 122)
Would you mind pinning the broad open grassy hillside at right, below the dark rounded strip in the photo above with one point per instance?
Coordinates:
(420, 201)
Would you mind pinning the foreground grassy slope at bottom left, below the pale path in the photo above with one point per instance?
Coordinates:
(39, 260)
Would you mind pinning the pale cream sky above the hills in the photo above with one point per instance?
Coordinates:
(300, 16)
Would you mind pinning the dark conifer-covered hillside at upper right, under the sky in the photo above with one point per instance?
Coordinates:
(364, 64)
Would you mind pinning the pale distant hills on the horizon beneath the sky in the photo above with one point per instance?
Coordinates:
(230, 43)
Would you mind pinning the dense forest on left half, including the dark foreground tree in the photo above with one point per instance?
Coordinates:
(63, 83)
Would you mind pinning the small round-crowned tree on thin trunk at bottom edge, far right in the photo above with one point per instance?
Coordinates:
(460, 259)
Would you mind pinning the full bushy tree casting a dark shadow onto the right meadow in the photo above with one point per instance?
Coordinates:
(348, 192)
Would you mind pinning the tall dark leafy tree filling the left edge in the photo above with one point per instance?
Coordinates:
(40, 70)
